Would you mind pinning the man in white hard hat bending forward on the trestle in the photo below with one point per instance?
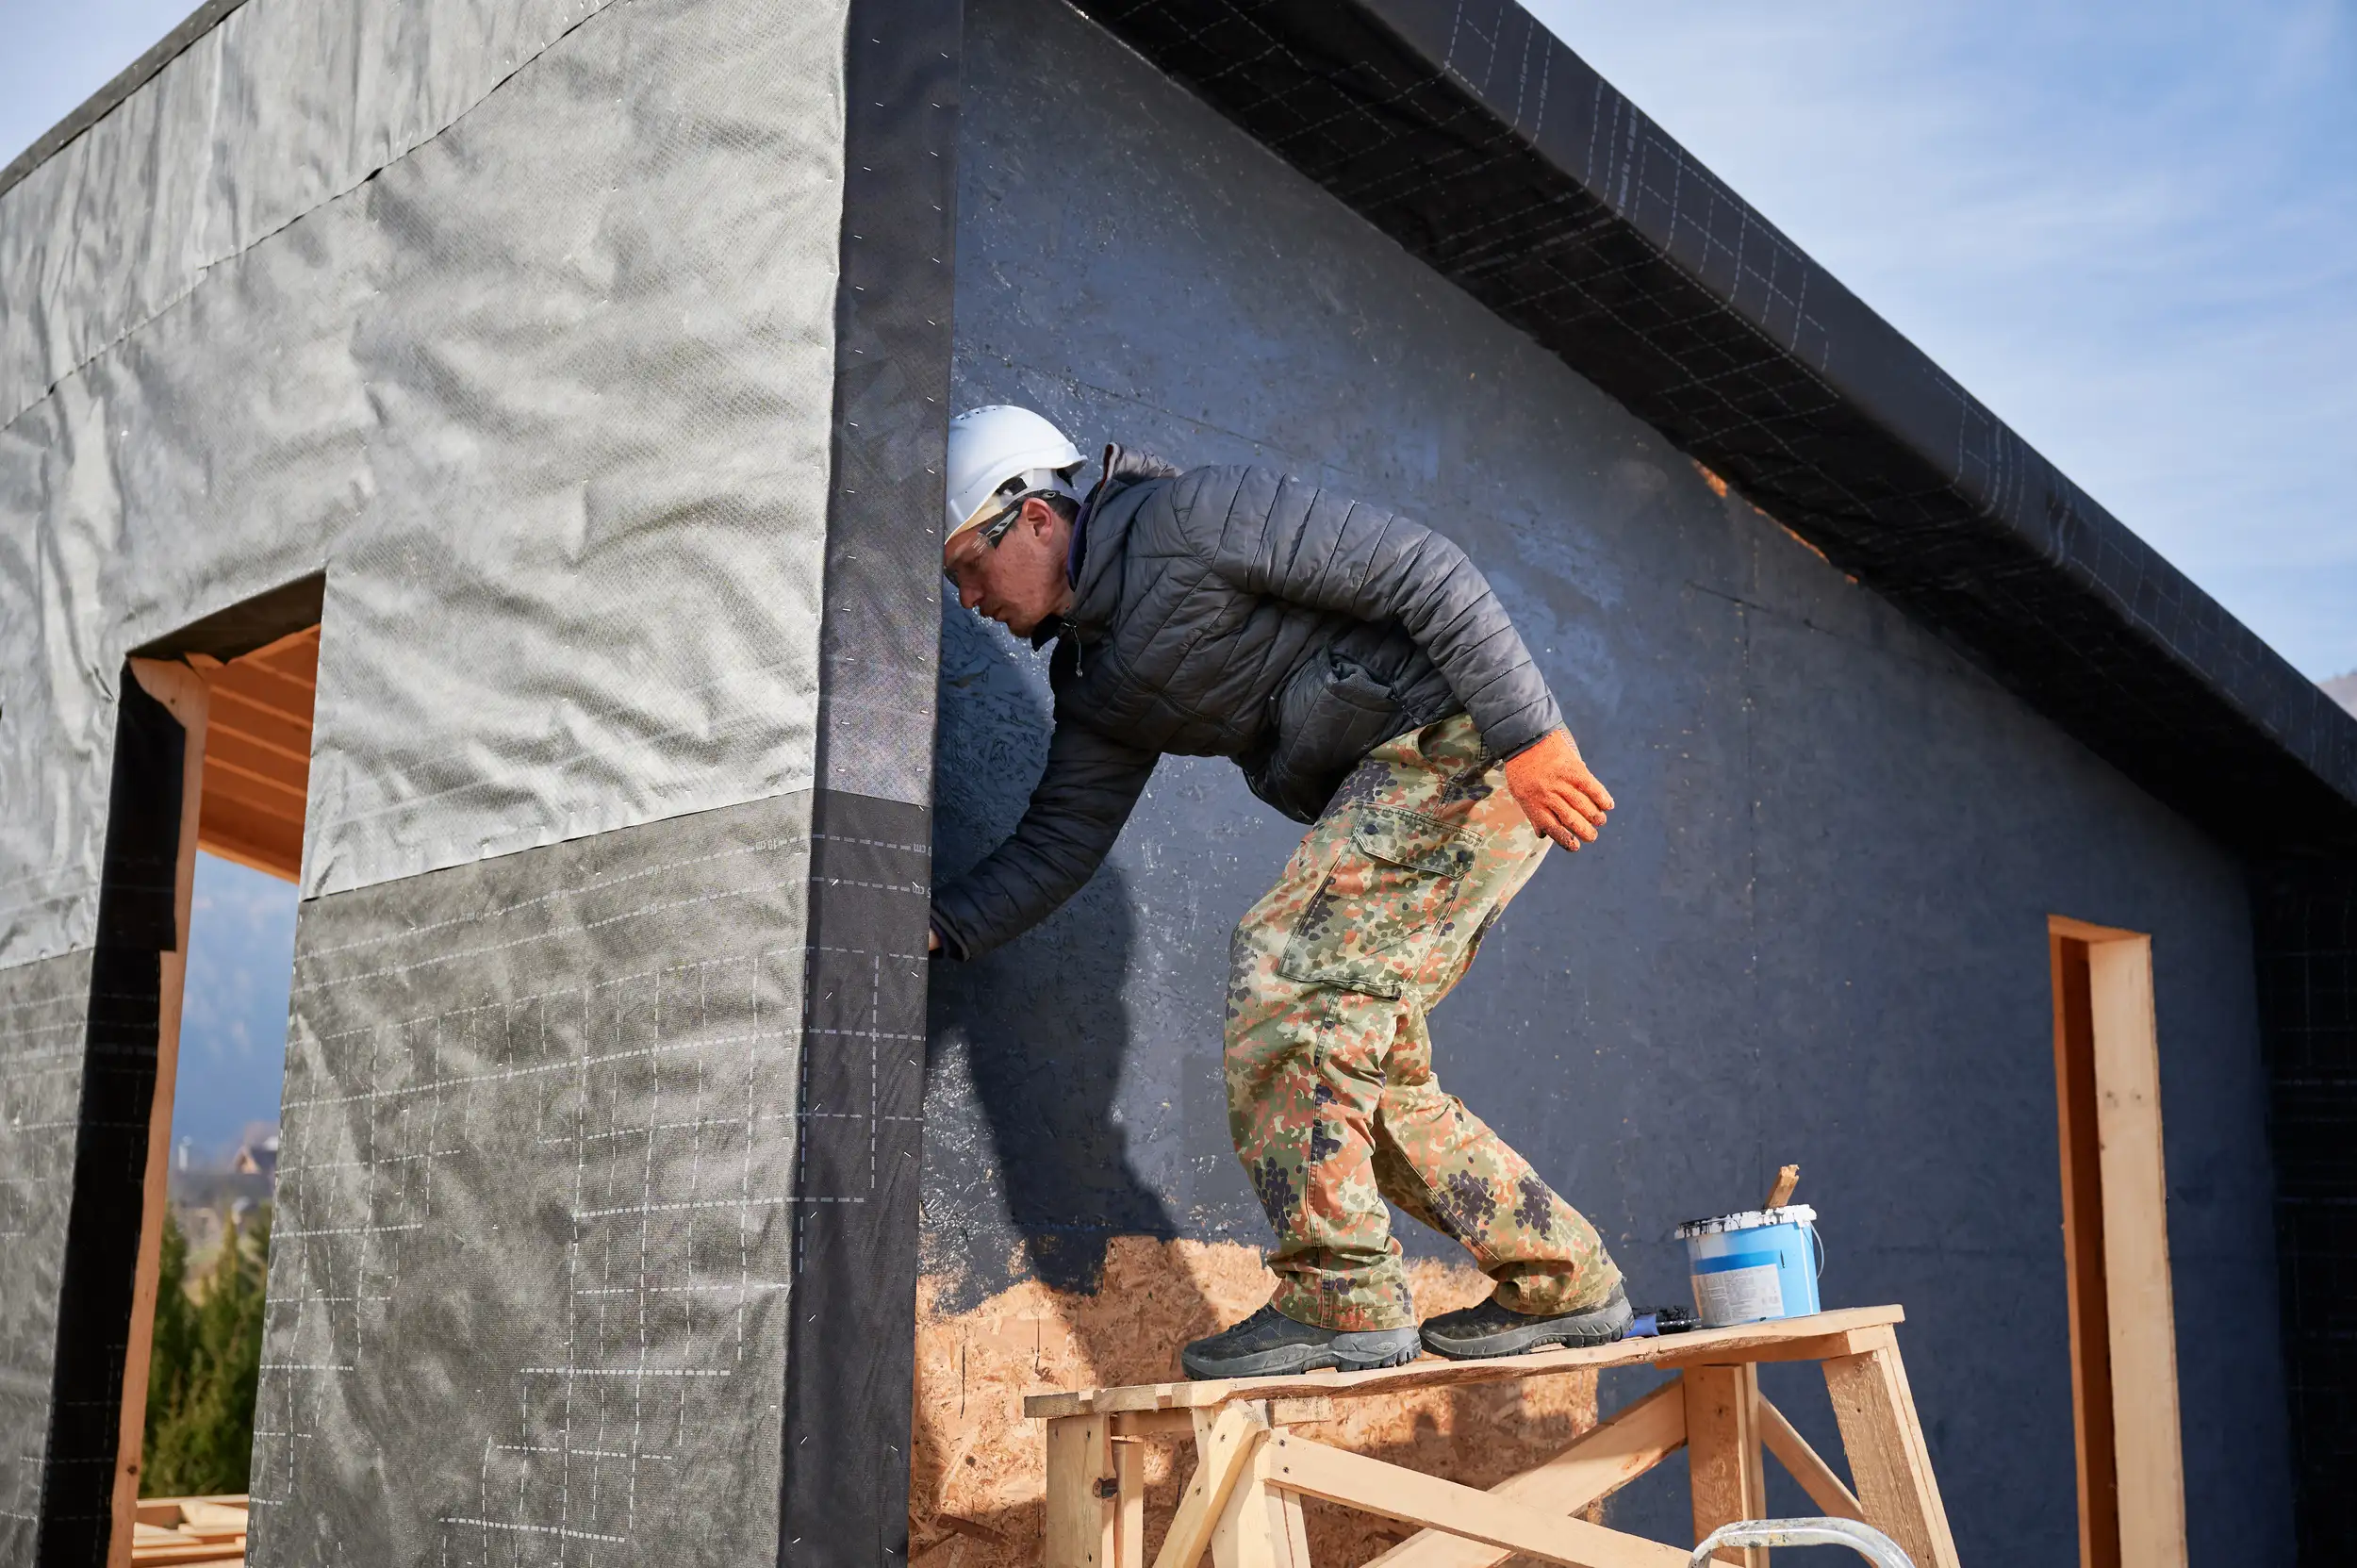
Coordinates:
(1368, 683)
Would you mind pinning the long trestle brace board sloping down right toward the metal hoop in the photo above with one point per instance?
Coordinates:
(1415, 1498)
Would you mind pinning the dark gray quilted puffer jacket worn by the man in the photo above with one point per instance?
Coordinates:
(1236, 612)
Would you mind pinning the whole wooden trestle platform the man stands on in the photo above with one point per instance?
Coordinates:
(1253, 1470)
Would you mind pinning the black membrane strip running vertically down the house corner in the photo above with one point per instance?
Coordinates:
(847, 1409)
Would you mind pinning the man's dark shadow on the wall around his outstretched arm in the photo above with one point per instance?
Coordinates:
(1043, 1022)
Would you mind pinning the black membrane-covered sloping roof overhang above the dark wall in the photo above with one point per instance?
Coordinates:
(1479, 143)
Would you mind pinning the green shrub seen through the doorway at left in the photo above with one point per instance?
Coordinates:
(206, 1364)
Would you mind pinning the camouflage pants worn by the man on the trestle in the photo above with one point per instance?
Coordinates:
(1331, 1072)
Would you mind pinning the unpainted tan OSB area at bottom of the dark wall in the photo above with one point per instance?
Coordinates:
(979, 1477)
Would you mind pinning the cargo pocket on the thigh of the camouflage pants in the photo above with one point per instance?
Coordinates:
(1385, 907)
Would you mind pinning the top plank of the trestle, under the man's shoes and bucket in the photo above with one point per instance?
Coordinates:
(1783, 1340)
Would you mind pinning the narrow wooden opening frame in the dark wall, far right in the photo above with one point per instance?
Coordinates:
(2115, 1241)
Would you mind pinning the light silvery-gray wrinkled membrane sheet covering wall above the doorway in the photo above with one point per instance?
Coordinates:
(524, 331)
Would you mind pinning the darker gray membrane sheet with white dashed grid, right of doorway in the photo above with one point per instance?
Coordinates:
(536, 1206)
